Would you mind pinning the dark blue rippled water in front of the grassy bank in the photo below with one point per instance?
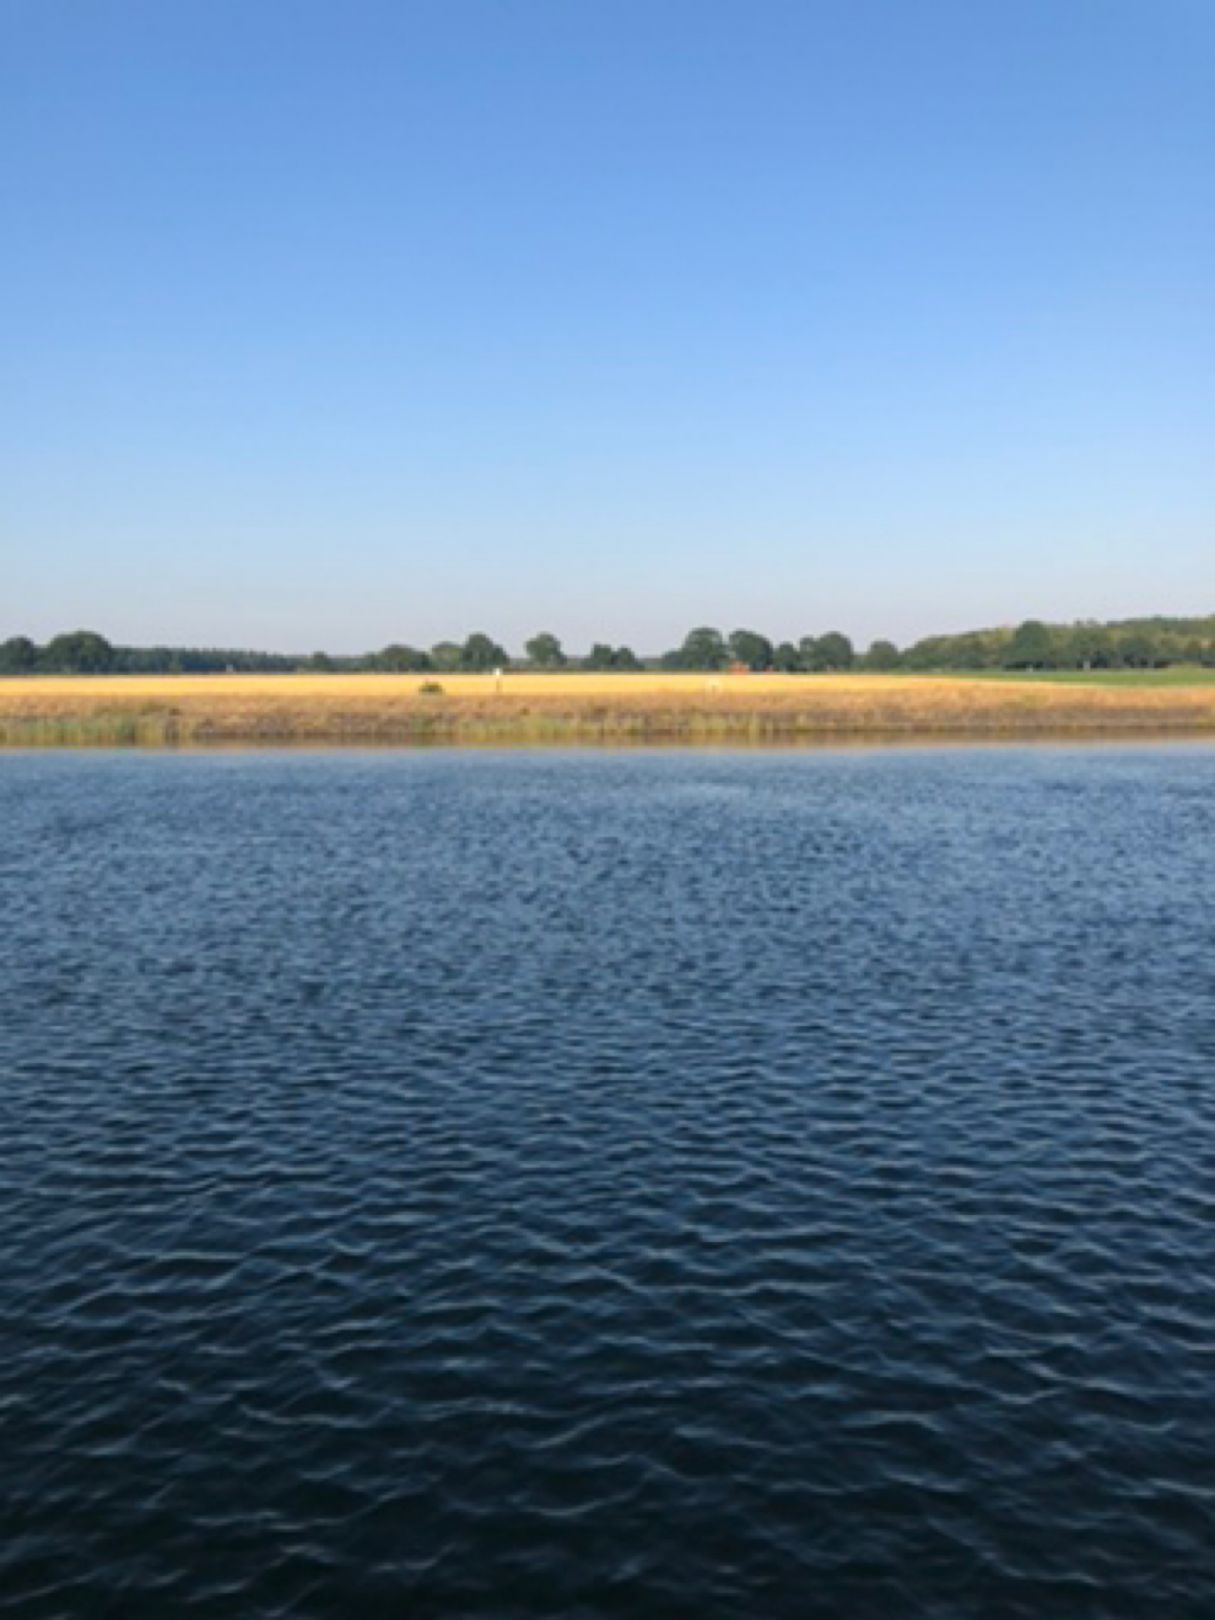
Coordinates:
(608, 1185)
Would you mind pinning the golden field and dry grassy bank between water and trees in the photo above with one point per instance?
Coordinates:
(573, 707)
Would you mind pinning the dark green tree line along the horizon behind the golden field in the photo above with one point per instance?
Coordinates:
(1128, 644)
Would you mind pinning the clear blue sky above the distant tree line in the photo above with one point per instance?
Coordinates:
(328, 323)
